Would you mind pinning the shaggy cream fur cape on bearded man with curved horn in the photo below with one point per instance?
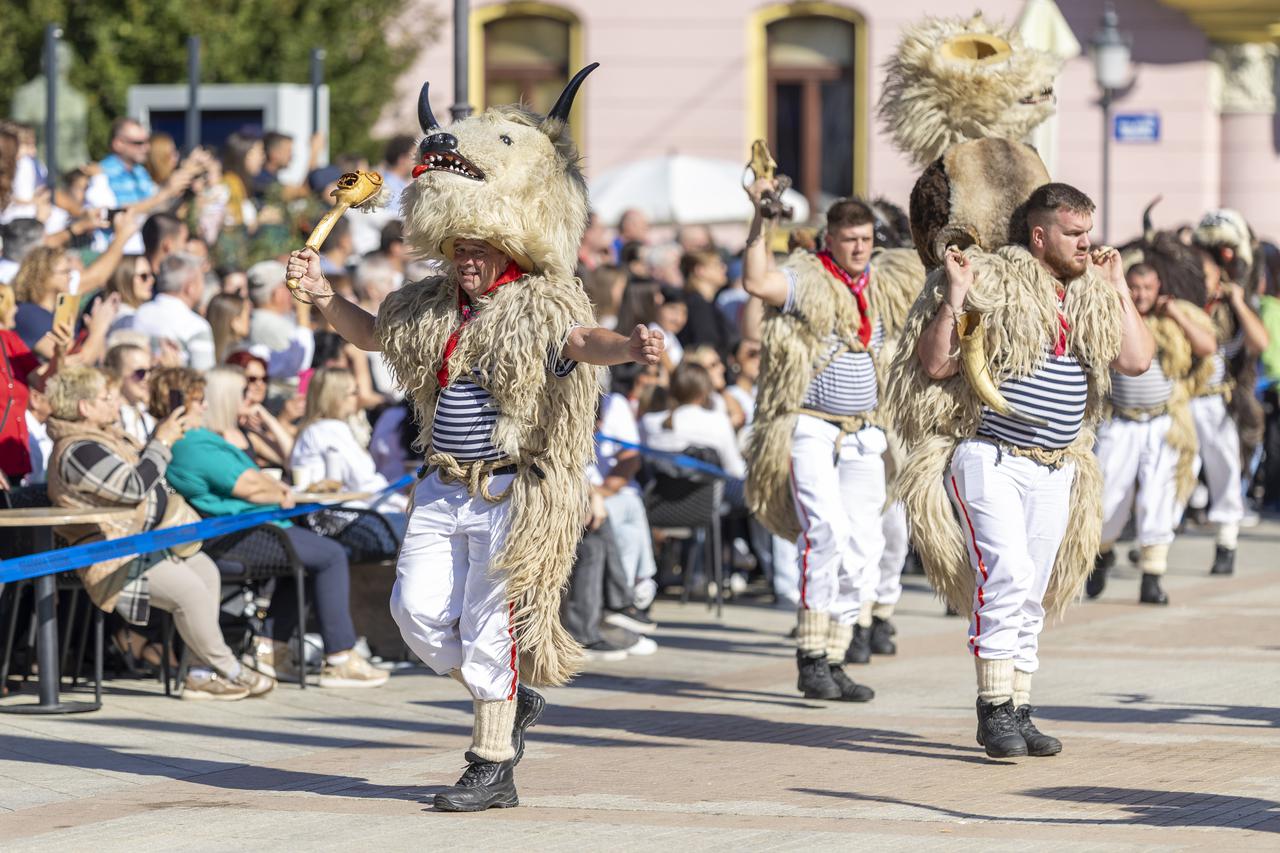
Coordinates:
(1020, 305)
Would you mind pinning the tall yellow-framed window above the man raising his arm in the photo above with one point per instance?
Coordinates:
(811, 90)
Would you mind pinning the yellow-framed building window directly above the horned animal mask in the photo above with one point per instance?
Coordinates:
(527, 61)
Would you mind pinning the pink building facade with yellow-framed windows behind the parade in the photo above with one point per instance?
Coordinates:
(706, 79)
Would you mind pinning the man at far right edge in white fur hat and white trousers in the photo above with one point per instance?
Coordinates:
(1226, 408)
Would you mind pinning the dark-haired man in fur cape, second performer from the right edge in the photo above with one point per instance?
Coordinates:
(1148, 446)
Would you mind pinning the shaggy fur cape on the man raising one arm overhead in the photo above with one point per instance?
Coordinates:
(796, 348)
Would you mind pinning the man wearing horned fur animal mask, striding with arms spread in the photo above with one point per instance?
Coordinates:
(488, 352)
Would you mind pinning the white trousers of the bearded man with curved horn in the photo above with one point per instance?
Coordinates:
(1013, 513)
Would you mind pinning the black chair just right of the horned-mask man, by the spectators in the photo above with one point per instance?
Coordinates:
(685, 504)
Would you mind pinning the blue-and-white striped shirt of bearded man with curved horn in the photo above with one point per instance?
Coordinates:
(1057, 391)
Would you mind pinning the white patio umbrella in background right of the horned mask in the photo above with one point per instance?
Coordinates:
(682, 190)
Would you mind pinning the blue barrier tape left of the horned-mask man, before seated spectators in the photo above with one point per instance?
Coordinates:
(86, 555)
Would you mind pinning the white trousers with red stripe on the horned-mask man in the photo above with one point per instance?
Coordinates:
(451, 610)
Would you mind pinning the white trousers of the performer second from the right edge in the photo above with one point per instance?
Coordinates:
(1137, 463)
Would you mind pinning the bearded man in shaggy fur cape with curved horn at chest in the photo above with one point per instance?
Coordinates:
(996, 385)
